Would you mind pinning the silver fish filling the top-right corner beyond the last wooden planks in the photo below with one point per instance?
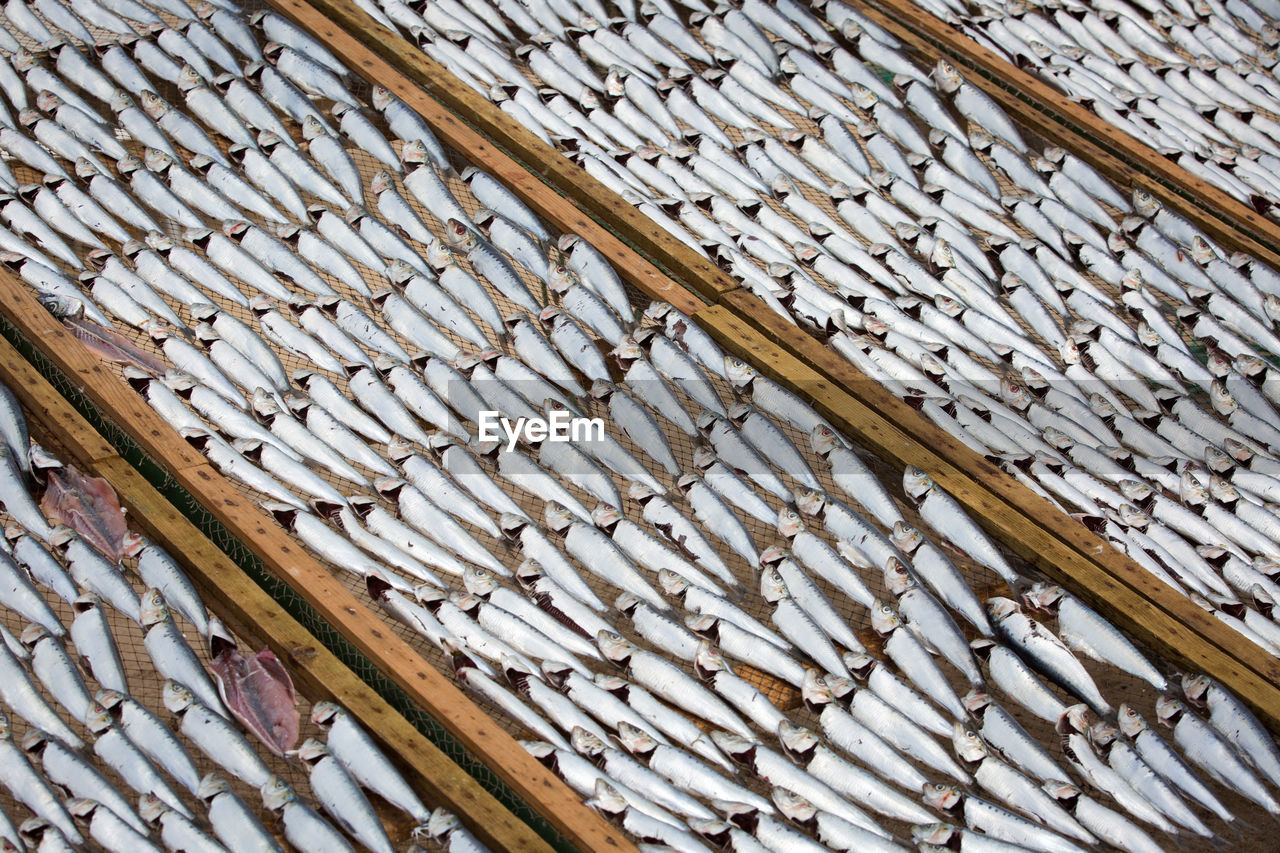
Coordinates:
(1197, 84)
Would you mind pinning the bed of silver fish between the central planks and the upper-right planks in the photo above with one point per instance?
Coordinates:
(1027, 352)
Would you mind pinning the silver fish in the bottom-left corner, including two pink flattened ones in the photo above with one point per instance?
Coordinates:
(79, 563)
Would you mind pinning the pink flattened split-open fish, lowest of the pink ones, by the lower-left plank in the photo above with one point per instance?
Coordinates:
(258, 691)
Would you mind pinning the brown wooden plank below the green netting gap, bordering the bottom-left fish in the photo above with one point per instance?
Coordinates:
(259, 621)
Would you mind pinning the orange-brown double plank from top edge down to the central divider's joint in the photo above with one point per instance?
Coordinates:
(520, 159)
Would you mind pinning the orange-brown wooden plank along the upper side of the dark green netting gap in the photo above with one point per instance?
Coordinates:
(284, 558)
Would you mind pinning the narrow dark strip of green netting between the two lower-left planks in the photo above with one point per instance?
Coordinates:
(284, 595)
